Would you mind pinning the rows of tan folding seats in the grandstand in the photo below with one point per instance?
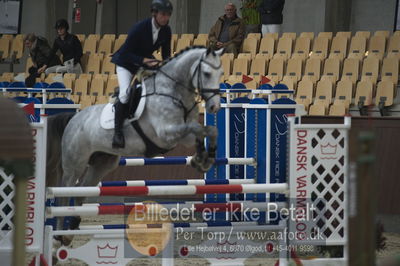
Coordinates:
(371, 65)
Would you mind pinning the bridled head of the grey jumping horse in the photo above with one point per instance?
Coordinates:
(206, 73)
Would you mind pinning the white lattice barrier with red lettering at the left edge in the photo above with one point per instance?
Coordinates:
(35, 201)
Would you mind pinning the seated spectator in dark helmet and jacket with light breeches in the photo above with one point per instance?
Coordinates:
(70, 47)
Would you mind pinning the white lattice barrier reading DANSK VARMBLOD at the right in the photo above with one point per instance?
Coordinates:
(319, 177)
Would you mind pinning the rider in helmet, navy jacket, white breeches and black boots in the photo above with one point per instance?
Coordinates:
(143, 39)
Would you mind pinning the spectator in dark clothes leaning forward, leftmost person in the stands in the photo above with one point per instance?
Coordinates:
(40, 51)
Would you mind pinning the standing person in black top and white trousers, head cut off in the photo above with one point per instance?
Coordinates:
(271, 15)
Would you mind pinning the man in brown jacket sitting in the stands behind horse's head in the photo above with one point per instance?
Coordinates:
(228, 31)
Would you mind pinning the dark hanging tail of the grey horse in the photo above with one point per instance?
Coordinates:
(56, 125)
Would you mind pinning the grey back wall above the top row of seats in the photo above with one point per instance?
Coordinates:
(119, 15)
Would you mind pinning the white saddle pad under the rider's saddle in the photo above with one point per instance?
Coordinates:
(107, 114)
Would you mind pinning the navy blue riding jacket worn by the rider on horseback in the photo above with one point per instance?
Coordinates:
(139, 44)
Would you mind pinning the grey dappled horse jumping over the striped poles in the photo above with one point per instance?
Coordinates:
(170, 117)
